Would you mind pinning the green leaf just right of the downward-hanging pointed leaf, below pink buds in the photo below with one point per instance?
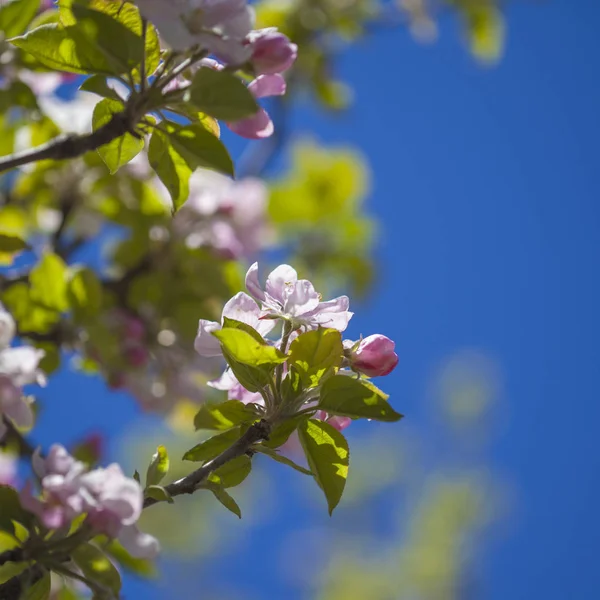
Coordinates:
(199, 147)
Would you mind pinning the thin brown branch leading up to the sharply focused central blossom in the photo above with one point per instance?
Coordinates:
(188, 484)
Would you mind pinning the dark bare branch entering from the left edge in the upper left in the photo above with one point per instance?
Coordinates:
(71, 146)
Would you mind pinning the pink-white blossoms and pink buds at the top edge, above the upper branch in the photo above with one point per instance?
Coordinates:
(223, 28)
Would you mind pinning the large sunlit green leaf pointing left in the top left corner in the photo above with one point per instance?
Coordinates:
(64, 49)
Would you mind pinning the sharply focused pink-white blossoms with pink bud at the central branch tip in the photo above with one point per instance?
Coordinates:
(296, 305)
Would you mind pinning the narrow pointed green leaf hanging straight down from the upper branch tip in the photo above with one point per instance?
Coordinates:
(170, 167)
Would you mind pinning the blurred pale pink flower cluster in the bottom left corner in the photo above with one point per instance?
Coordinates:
(113, 502)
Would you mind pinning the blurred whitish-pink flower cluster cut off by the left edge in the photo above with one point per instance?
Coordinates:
(18, 367)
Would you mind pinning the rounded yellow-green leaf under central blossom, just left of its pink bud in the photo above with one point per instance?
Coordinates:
(315, 353)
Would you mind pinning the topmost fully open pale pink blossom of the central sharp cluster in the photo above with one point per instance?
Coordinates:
(296, 300)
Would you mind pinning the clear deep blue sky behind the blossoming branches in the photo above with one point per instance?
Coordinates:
(487, 185)
